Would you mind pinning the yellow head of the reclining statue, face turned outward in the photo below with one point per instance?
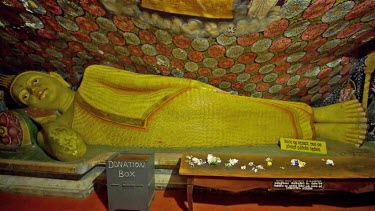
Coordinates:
(39, 90)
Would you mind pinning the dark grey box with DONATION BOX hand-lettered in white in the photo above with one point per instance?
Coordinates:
(130, 181)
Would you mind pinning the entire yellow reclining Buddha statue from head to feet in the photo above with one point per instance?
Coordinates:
(120, 108)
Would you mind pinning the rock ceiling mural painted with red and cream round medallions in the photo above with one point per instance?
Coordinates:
(296, 50)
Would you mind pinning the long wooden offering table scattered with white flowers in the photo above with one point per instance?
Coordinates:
(352, 174)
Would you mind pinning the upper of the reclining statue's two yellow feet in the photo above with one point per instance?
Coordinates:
(345, 112)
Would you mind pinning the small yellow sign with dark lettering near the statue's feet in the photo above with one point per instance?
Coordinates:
(301, 145)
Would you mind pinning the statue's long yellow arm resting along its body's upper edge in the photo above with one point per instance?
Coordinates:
(123, 79)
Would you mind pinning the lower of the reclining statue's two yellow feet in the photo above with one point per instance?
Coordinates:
(347, 133)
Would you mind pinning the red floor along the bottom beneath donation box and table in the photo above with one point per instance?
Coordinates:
(175, 200)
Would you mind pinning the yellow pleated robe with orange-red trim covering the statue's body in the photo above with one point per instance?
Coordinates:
(120, 108)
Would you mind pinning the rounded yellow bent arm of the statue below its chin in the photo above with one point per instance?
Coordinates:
(63, 143)
